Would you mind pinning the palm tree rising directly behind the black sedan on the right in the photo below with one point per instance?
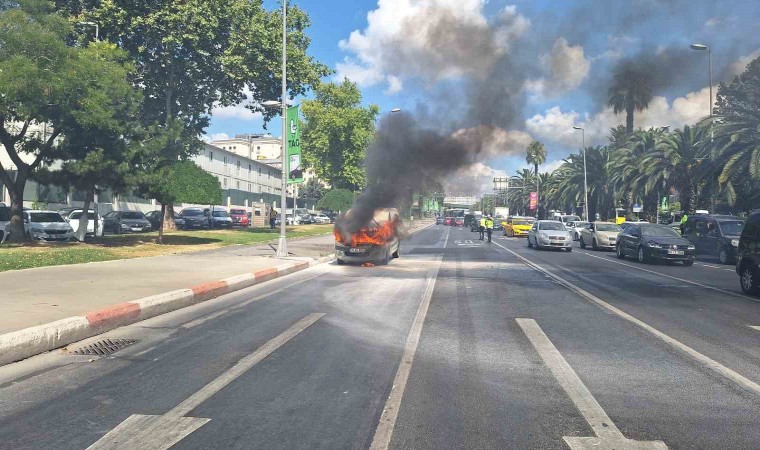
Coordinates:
(674, 161)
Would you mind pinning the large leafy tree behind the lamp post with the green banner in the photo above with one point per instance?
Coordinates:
(193, 55)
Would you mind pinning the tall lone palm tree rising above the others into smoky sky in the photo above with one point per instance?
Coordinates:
(631, 91)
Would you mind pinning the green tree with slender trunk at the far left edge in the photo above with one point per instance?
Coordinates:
(51, 92)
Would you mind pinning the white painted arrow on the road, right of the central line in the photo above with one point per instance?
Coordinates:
(607, 434)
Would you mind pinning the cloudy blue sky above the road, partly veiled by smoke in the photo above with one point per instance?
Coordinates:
(567, 50)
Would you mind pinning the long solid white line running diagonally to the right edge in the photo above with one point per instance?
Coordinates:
(722, 370)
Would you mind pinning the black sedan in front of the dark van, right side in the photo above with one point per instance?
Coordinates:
(651, 242)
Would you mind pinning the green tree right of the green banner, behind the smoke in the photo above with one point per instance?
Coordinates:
(336, 133)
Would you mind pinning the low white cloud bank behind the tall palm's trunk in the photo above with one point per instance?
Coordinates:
(556, 126)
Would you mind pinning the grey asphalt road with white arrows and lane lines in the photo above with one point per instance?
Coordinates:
(457, 344)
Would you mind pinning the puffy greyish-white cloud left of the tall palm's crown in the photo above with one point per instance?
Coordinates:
(566, 67)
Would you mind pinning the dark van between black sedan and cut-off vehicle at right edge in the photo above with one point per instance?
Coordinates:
(715, 235)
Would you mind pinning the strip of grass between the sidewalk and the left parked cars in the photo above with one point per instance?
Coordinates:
(139, 245)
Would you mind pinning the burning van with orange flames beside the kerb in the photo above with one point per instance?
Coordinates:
(376, 242)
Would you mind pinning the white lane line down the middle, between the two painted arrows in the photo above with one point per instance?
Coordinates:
(384, 431)
